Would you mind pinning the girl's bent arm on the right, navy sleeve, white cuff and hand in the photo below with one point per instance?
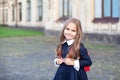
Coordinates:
(84, 60)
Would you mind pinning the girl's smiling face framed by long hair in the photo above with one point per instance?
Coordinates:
(70, 31)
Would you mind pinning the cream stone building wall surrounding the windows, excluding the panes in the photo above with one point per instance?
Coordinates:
(81, 9)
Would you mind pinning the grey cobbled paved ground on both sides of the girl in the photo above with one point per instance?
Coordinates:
(31, 58)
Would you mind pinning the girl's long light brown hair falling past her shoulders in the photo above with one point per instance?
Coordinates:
(74, 51)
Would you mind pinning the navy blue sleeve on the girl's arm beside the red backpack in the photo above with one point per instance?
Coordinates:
(85, 59)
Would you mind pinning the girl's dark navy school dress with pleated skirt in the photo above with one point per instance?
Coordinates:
(66, 72)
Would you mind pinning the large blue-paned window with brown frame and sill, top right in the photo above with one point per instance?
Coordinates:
(106, 11)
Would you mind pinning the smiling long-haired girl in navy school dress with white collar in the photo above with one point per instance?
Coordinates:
(71, 55)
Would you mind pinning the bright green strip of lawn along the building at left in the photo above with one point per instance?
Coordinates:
(12, 32)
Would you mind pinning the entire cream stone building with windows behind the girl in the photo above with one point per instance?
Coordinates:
(99, 18)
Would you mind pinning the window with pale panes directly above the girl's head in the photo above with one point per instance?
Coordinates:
(65, 9)
